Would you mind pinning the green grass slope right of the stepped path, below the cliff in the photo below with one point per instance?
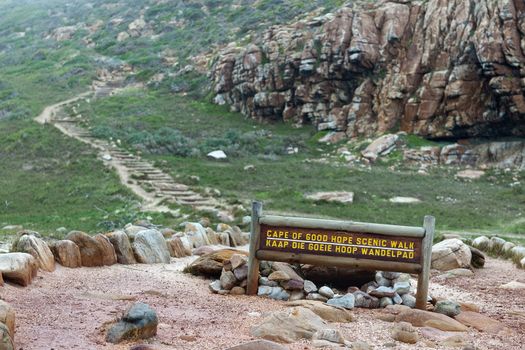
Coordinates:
(280, 180)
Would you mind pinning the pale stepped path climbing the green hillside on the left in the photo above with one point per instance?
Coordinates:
(155, 187)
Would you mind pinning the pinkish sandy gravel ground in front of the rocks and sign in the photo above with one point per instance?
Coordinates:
(68, 309)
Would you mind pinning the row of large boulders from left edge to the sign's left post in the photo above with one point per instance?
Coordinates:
(134, 244)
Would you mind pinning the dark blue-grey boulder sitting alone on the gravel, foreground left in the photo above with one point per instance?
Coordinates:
(139, 322)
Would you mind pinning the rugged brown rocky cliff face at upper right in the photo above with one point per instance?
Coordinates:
(437, 68)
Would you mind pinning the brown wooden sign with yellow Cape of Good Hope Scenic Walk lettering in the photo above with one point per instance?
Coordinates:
(341, 243)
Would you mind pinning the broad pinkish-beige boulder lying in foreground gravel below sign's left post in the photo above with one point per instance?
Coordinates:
(289, 325)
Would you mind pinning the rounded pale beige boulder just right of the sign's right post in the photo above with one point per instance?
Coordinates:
(450, 254)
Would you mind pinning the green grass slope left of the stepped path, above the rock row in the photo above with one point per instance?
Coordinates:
(50, 181)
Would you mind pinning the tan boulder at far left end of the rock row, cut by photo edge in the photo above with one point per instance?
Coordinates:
(19, 268)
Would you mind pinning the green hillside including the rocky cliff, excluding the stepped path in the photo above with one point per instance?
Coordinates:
(150, 63)
